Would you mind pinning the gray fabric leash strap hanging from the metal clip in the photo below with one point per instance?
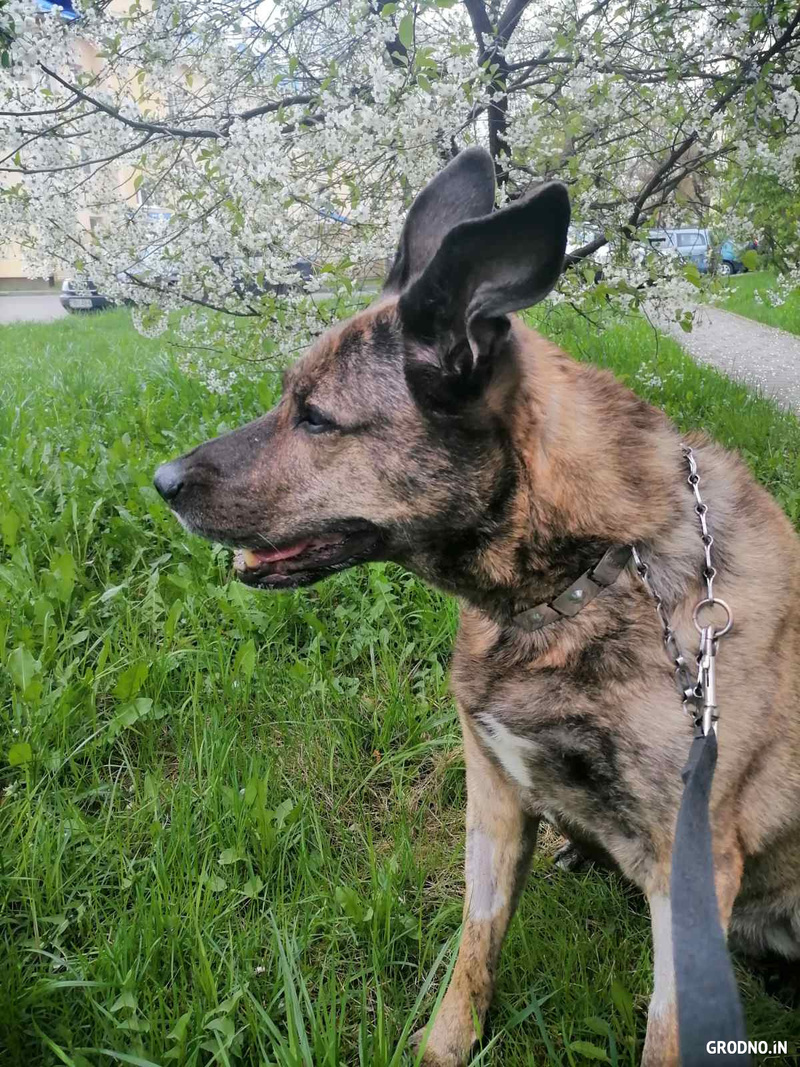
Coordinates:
(709, 1006)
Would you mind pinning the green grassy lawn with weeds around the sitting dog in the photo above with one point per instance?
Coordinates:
(231, 826)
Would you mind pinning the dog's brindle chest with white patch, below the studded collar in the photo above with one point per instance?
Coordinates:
(569, 747)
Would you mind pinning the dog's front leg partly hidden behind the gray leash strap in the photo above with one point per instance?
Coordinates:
(661, 1043)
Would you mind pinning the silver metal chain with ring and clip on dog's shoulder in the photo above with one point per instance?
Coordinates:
(699, 695)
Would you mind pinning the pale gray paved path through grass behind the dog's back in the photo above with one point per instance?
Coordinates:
(763, 357)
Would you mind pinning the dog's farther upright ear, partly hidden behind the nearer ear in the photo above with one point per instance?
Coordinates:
(465, 190)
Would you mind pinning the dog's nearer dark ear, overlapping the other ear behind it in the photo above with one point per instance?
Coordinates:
(485, 269)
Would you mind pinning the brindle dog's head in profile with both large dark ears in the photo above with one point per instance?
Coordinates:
(389, 442)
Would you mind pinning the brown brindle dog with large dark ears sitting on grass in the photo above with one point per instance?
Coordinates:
(435, 431)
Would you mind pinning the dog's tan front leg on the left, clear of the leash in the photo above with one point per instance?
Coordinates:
(501, 839)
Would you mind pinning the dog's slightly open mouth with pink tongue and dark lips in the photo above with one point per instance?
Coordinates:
(291, 564)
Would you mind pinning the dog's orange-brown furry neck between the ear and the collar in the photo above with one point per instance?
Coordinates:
(594, 467)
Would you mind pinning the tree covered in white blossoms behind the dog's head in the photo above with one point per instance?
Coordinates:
(186, 154)
